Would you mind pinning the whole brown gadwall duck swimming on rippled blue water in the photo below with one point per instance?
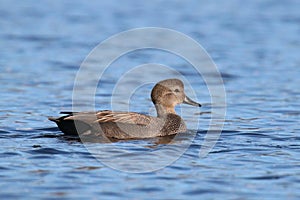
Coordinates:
(165, 95)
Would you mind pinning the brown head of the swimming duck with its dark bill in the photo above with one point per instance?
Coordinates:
(167, 94)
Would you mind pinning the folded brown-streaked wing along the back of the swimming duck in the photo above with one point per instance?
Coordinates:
(109, 116)
